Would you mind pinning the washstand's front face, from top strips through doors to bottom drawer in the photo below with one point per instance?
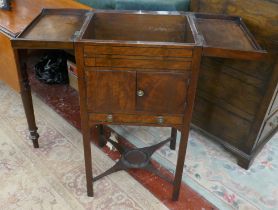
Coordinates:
(142, 80)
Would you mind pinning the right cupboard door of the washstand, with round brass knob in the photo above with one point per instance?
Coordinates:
(160, 92)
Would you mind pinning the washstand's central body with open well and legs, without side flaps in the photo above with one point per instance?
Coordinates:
(132, 82)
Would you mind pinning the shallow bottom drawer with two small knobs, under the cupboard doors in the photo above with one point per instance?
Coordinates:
(136, 119)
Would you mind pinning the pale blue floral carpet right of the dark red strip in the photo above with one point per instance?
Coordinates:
(212, 172)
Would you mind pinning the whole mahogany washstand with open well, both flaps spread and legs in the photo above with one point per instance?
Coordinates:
(134, 75)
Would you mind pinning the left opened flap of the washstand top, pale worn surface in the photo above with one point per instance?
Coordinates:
(59, 26)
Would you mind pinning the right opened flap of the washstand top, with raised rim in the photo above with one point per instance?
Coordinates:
(226, 36)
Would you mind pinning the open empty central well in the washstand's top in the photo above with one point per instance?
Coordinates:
(139, 27)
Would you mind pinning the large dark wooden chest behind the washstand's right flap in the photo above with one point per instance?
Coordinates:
(237, 100)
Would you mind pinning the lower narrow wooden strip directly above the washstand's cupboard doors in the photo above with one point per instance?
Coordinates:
(137, 62)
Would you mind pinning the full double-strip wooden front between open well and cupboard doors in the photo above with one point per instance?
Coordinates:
(135, 57)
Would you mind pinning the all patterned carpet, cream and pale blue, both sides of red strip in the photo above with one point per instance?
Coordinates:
(209, 170)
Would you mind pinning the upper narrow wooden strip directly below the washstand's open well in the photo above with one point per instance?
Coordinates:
(92, 50)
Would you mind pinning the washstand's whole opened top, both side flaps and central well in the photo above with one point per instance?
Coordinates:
(219, 35)
